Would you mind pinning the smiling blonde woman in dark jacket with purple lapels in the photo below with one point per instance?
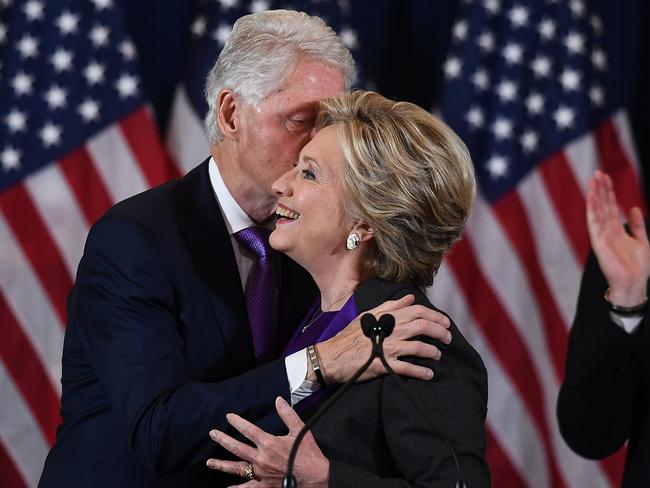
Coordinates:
(376, 199)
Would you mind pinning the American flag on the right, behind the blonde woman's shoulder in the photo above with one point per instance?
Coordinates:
(527, 87)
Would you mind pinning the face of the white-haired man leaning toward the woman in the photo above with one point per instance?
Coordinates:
(272, 135)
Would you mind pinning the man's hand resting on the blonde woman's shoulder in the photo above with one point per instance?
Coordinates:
(342, 355)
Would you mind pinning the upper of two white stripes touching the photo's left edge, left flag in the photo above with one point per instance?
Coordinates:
(30, 305)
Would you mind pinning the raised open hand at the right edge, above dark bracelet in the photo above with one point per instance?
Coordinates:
(623, 258)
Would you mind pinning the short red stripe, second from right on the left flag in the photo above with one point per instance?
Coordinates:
(83, 178)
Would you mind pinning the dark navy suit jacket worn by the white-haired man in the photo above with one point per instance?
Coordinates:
(158, 346)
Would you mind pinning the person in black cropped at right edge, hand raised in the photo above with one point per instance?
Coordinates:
(604, 401)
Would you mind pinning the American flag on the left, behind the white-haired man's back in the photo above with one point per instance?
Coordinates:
(75, 137)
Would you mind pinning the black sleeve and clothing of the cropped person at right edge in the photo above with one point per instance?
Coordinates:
(605, 398)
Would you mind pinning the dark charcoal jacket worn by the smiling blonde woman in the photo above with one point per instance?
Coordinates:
(374, 437)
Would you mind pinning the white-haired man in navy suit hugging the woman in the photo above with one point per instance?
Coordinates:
(162, 341)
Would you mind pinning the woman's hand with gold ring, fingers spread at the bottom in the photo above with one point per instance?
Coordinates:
(270, 455)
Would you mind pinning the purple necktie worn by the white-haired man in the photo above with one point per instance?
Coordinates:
(261, 292)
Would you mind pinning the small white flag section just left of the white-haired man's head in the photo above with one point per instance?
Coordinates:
(186, 139)
